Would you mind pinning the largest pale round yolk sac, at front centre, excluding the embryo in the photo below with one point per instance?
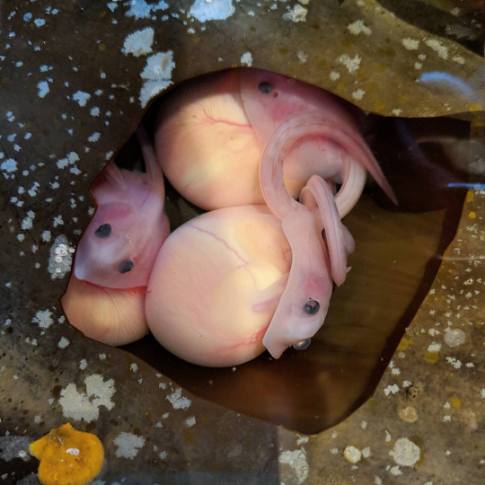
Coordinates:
(216, 283)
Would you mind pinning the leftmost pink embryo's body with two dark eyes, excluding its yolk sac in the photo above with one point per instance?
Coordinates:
(131, 205)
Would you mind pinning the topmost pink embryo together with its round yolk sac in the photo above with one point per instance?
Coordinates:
(211, 135)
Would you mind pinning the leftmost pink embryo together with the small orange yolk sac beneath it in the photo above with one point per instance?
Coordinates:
(100, 301)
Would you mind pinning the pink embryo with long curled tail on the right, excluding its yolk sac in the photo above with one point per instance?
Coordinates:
(304, 302)
